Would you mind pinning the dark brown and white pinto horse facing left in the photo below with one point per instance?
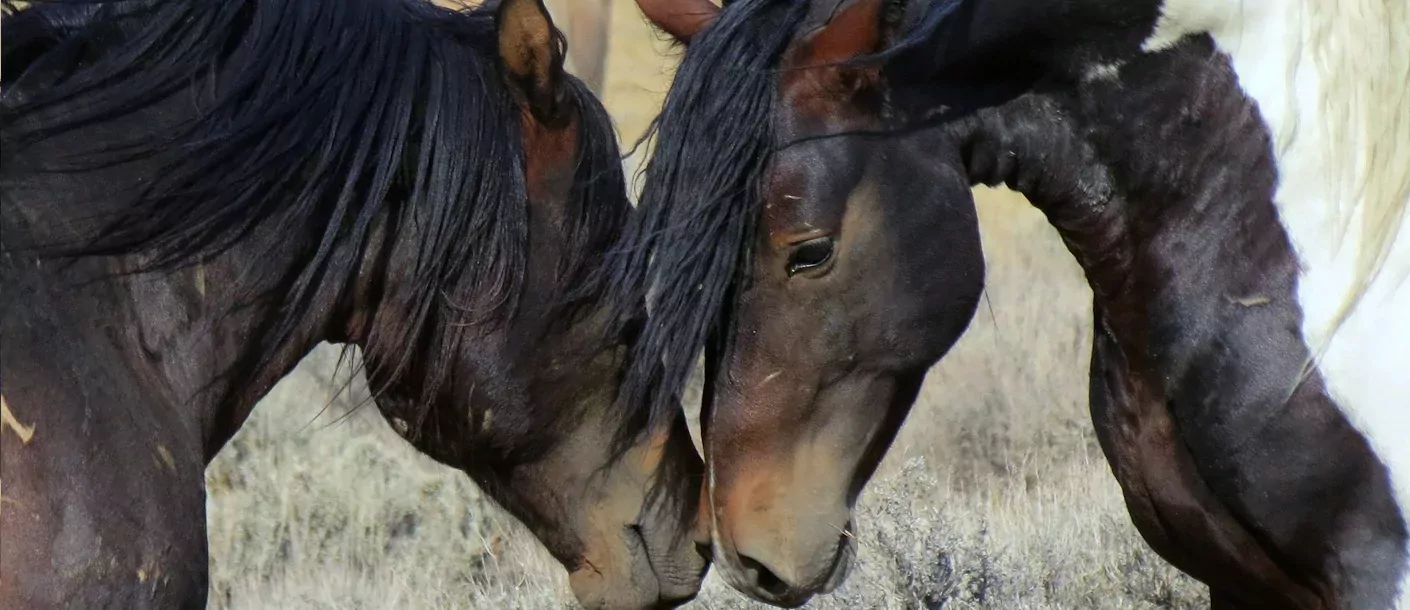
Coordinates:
(1233, 177)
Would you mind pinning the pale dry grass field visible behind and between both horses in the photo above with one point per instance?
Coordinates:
(996, 495)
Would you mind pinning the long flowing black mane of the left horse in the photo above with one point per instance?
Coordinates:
(324, 120)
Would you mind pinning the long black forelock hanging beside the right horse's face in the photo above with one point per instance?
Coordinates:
(700, 202)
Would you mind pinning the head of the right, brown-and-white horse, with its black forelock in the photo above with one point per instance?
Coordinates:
(809, 378)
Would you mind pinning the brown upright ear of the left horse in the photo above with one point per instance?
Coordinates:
(531, 57)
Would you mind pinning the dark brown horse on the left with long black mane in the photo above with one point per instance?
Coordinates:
(197, 194)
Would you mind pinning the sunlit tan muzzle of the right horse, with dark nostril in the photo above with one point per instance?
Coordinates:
(786, 461)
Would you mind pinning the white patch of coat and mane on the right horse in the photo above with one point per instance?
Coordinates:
(1332, 174)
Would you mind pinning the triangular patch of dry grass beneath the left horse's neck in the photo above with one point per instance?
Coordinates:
(329, 509)
